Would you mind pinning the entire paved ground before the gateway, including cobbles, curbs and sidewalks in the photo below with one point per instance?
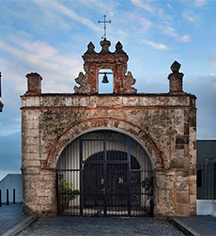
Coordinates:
(14, 222)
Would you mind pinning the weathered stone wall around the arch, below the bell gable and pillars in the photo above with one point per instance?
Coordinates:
(164, 123)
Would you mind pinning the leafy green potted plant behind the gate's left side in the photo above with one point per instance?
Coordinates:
(67, 192)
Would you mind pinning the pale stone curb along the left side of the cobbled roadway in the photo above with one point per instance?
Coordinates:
(21, 226)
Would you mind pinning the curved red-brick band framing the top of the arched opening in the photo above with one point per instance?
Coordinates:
(155, 154)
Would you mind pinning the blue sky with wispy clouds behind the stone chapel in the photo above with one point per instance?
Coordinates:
(49, 37)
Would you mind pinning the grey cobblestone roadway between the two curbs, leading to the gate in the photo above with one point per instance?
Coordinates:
(63, 225)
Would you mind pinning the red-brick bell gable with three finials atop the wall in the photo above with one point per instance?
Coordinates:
(116, 61)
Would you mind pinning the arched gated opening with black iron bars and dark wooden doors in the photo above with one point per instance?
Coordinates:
(105, 173)
